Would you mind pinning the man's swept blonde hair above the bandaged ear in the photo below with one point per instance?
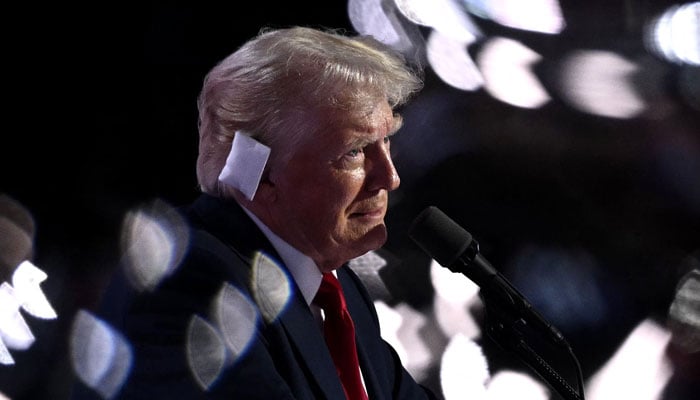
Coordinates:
(270, 86)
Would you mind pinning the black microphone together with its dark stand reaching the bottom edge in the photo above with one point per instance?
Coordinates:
(511, 320)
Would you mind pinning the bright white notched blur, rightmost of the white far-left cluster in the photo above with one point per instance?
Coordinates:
(26, 280)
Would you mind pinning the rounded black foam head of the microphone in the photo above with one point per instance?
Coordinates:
(439, 236)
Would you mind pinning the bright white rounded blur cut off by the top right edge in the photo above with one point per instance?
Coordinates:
(675, 34)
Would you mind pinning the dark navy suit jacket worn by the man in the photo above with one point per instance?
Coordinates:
(286, 358)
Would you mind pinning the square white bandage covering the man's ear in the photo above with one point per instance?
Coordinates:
(245, 164)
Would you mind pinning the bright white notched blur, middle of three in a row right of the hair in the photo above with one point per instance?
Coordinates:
(507, 69)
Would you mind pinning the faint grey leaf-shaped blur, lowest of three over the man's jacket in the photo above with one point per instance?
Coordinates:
(206, 353)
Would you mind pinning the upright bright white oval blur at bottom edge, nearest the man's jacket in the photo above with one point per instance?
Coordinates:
(464, 370)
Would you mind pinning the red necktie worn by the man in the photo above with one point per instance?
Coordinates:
(340, 336)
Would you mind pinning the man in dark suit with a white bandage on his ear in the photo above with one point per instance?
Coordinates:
(295, 169)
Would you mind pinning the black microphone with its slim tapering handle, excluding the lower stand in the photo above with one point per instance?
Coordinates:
(454, 248)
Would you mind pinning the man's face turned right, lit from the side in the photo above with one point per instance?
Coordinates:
(330, 199)
